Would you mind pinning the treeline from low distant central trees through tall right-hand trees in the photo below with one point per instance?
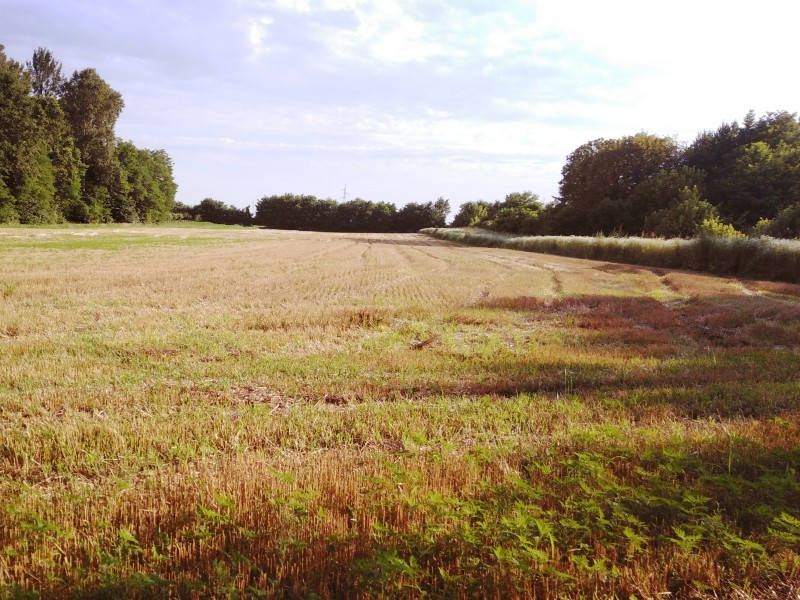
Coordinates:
(738, 181)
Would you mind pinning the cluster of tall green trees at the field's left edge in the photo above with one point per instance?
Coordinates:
(59, 157)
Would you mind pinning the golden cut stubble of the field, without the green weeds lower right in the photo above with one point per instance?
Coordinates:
(291, 373)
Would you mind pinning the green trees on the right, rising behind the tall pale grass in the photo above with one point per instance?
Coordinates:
(739, 179)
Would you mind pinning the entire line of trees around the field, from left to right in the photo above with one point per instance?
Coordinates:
(61, 161)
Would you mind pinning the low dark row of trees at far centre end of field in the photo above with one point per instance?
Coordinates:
(308, 213)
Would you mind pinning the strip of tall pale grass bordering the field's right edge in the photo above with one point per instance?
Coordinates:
(758, 258)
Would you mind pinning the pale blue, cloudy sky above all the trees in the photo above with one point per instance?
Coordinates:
(410, 100)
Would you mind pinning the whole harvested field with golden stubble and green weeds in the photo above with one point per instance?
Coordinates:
(224, 412)
